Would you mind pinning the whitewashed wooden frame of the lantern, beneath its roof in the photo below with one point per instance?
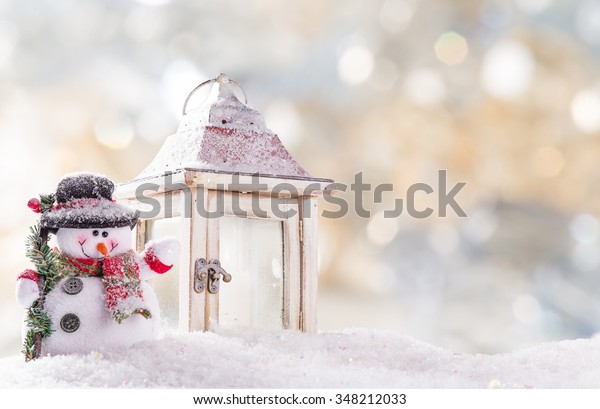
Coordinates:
(200, 237)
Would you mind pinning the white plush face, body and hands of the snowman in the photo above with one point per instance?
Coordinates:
(94, 328)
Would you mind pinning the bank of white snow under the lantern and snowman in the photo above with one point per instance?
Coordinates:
(354, 358)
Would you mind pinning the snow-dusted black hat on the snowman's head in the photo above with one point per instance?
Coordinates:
(84, 201)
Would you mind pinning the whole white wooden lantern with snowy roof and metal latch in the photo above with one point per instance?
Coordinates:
(245, 212)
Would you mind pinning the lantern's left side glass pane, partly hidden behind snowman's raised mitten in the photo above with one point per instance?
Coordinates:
(166, 285)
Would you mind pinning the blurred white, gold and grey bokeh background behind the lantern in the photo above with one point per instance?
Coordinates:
(504, 95)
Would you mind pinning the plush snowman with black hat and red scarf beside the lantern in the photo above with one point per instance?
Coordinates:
(101, 298)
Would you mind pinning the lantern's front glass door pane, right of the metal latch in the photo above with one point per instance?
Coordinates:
(251, 250)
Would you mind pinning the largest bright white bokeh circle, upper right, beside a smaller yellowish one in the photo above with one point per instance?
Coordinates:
(507, 70)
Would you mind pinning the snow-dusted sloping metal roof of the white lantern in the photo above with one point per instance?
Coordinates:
(224, 135)
